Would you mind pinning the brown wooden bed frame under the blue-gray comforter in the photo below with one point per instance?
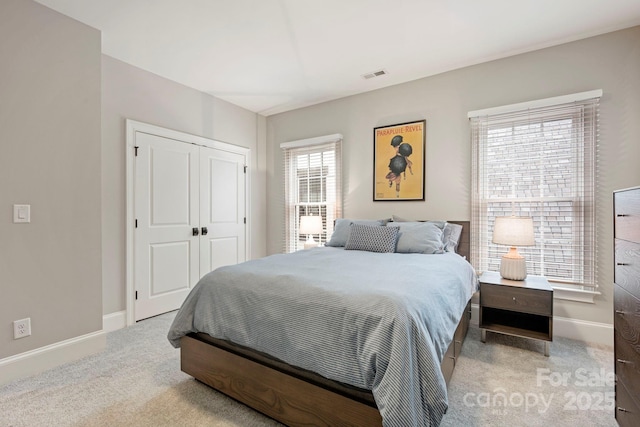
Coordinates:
(291, 395)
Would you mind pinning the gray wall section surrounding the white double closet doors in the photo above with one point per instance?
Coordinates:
(131, 93)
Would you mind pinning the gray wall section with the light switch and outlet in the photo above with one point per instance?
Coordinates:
(50, 269)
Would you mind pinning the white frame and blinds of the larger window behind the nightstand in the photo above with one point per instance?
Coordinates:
(539, 112)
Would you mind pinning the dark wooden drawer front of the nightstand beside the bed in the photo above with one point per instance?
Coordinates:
(519, 299)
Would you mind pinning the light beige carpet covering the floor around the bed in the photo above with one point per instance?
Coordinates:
(137, 381)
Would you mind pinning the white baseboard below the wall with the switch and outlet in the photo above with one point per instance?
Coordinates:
(35, 361)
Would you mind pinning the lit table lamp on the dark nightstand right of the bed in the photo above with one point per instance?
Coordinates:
(513, 231)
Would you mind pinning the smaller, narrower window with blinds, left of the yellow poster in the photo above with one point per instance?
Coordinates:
(312, 169)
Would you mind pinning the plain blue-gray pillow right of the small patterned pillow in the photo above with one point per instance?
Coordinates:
(419, 237)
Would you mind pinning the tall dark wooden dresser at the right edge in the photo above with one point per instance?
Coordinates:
(626, 207)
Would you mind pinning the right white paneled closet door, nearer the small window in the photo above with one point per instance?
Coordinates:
(222, 208)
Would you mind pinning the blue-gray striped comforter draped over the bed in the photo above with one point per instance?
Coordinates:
(376, 321)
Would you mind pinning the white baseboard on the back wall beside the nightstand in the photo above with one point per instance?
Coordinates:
(575, 329)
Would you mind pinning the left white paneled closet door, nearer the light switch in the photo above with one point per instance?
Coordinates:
(167, 210)
